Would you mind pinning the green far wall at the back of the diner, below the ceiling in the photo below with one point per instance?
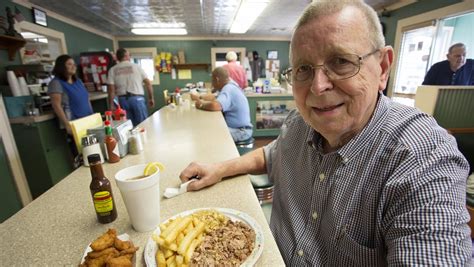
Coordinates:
(199, 51)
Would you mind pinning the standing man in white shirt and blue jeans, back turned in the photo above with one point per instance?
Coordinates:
(126, 81)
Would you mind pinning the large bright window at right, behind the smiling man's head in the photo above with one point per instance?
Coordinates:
(423, 40)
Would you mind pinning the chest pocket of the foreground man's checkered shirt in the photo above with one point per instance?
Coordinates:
(354, 254)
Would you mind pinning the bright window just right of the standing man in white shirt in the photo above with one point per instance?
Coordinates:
(145, 58)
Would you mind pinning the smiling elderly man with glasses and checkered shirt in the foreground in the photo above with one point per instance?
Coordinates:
(359, 180)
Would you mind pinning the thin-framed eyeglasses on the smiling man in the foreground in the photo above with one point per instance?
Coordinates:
(339, 67)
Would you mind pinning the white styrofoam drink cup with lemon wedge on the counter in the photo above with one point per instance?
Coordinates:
(141, 197)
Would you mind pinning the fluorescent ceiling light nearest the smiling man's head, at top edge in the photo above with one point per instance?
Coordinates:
(248, 12)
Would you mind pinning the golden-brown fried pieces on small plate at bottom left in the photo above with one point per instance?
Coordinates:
(108, 250)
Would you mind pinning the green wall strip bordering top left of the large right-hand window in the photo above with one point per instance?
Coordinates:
(421, 6)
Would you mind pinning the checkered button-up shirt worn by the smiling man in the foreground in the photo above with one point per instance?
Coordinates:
(394, 195)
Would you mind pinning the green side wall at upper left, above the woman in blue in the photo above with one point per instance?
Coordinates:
(77, 40)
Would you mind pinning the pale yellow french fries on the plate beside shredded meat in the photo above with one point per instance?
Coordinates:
(180, 237)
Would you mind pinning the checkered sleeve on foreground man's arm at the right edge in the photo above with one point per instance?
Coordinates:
(425, 223)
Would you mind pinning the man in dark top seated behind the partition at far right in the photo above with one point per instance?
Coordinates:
(456, 70)
